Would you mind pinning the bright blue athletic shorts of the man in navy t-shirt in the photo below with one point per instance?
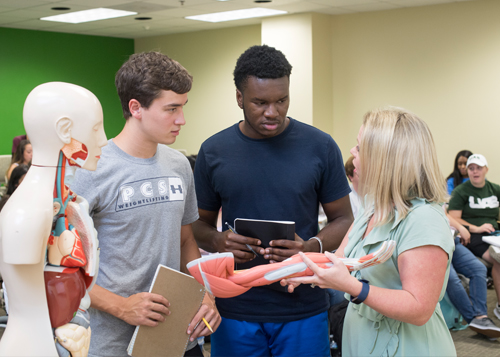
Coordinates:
(307, 337)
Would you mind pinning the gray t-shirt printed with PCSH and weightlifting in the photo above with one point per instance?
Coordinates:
(138, 207)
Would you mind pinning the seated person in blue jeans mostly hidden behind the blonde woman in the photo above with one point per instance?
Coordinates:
(473, 306)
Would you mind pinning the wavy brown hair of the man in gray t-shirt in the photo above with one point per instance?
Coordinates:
(145, 75)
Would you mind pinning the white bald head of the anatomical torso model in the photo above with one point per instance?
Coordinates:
(57, 114)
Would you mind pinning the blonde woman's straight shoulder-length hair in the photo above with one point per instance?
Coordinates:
(398, 162)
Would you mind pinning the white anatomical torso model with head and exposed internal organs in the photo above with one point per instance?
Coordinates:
(48, 246)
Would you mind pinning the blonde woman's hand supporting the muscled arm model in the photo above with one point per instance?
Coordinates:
(337, 277)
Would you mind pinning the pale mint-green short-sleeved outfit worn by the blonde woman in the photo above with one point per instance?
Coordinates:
(369, 333)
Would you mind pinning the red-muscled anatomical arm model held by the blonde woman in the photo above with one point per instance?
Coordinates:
(216, 271)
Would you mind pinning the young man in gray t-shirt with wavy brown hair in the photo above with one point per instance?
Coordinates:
(143, 202)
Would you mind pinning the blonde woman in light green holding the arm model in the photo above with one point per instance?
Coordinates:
(394, 307)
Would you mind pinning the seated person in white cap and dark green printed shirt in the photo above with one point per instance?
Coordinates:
(475, 204)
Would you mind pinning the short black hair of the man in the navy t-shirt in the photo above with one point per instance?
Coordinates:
(263, 62)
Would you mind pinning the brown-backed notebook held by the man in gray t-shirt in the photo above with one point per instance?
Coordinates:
(169, 338)
